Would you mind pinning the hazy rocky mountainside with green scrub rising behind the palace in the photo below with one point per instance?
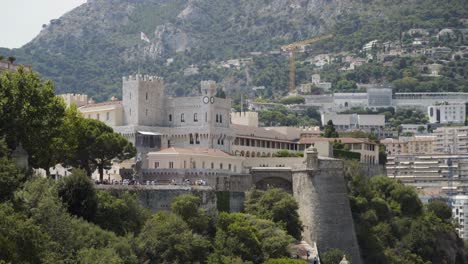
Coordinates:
(88, 49)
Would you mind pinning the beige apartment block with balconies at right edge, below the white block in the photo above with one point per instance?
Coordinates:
(451, 140)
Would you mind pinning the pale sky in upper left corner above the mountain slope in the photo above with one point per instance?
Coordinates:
(22, 20)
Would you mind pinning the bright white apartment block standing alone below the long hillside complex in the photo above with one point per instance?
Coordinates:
(453, 113)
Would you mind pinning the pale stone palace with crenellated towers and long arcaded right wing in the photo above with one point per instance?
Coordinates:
(154, 121)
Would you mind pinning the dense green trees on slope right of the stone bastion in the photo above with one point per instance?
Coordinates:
(394, 227)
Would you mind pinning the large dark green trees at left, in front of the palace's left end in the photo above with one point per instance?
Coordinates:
(31, 116)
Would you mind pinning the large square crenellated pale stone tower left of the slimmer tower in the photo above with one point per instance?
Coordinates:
(143, 100)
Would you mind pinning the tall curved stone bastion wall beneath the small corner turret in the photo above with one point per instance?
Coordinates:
(324, 208)
